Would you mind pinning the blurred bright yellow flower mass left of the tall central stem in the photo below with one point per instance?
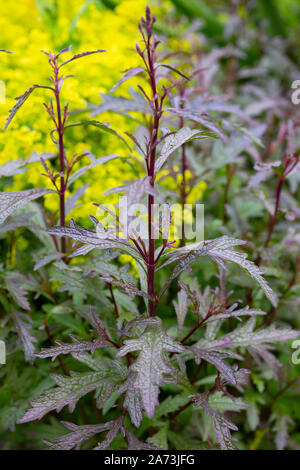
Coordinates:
(26, 31)
